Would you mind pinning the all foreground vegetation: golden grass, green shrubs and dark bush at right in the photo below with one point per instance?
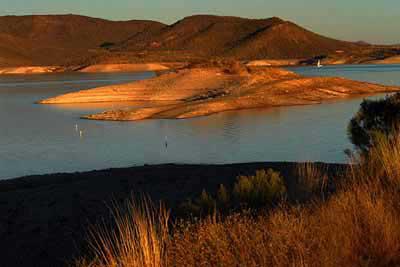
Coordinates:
(253, 223)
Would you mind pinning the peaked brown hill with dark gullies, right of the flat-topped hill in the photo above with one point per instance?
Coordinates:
(237, 37)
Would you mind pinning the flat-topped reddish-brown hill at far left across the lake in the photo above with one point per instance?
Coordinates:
(57, 39)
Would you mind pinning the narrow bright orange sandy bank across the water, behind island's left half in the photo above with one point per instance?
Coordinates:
(124, 67)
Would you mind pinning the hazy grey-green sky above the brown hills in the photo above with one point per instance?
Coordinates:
(375, 21)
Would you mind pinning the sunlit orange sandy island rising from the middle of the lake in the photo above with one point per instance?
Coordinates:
(205, 91)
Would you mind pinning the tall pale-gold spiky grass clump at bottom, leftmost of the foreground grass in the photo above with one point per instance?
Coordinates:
(138, 239)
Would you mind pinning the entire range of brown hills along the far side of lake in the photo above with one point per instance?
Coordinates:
(60, 39)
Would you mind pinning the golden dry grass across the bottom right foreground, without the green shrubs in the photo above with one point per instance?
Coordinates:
(359, 225)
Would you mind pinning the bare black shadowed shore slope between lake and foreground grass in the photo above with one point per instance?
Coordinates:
(44, 219)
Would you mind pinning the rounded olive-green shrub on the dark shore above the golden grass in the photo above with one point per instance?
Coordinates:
(260, 190)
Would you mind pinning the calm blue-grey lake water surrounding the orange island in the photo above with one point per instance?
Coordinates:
(39, 139)
